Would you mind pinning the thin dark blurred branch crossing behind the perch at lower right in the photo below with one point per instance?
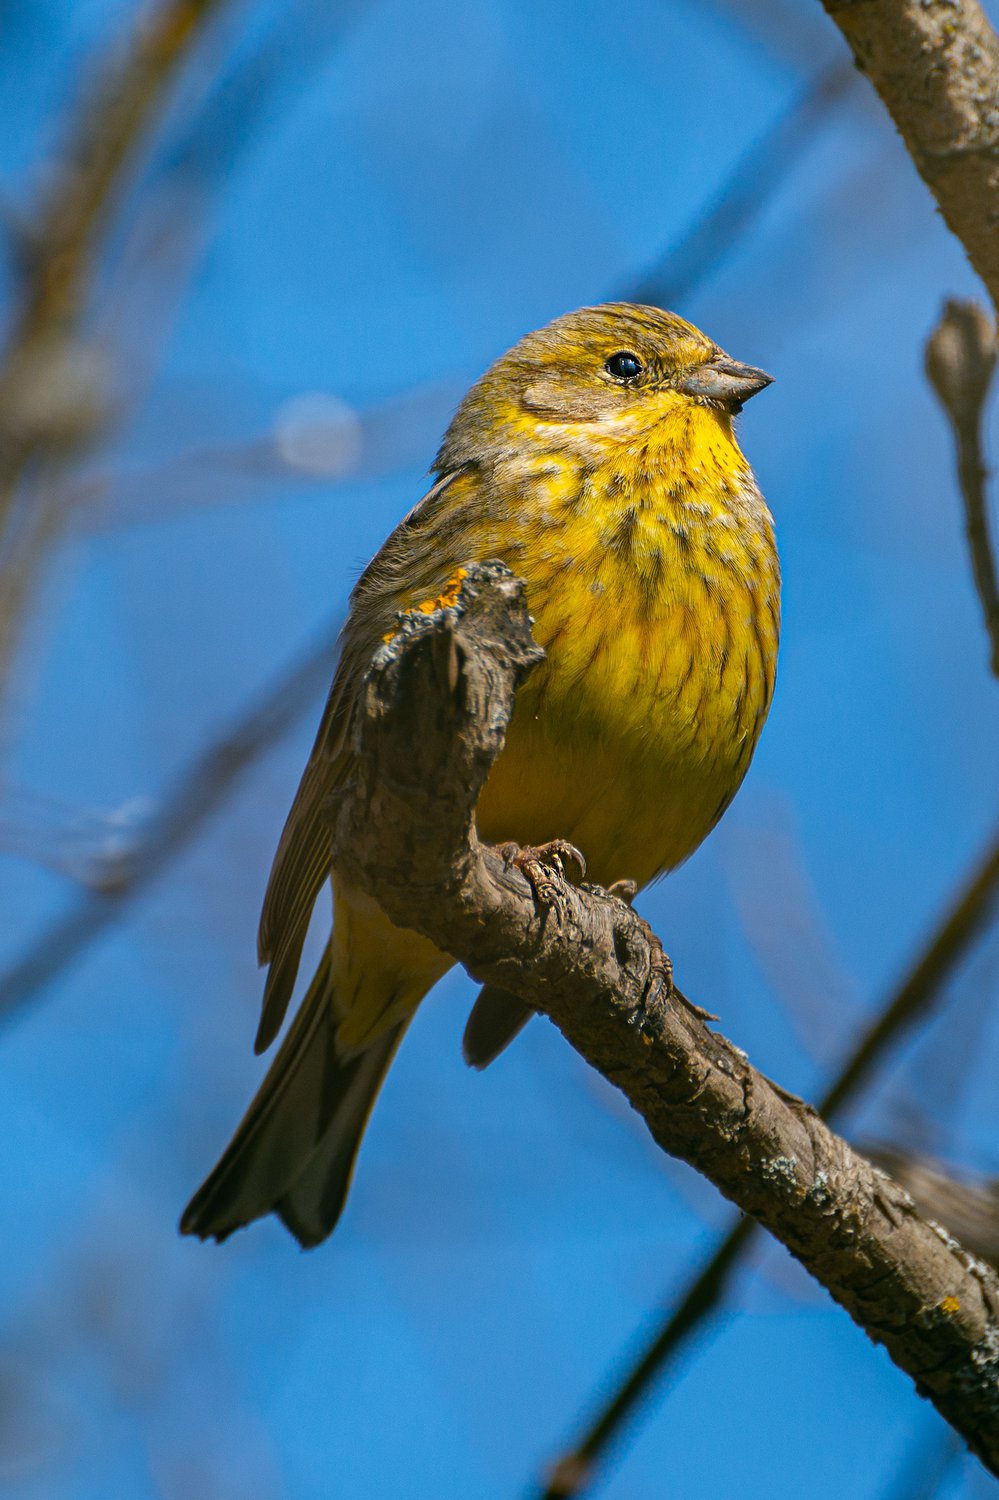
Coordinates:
(964, 925)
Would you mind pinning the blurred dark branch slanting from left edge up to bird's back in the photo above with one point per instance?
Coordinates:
(199, 793)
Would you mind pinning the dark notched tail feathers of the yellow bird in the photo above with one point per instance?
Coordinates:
(295, 1151)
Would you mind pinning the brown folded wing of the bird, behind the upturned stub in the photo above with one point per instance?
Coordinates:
(304, 857)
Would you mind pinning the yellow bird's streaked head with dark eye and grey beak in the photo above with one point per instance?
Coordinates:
(596, 377)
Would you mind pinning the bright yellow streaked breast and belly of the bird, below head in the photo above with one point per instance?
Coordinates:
(655, 592)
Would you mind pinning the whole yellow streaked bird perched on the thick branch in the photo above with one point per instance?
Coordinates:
(599, 461)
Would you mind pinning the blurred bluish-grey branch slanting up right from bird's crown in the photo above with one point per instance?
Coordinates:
(737, 205)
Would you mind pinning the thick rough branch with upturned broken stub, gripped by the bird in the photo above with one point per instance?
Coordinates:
(430, 727)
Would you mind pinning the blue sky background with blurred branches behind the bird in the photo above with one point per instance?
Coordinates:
(254, 253)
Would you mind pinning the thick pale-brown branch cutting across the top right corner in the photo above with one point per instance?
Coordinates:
(937, 70)
